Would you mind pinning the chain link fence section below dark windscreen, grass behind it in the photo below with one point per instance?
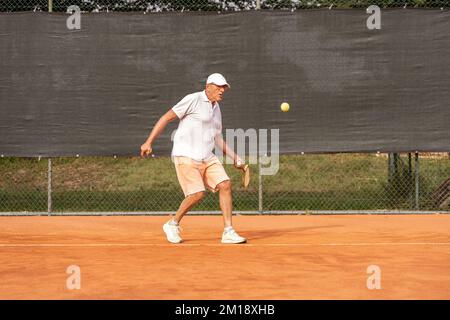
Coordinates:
(316, 183)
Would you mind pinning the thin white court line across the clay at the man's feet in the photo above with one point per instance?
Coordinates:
(372, 244)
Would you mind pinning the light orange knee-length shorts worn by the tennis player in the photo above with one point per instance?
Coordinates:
(193, 175)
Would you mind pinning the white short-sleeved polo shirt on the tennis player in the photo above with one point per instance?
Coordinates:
(200, 123)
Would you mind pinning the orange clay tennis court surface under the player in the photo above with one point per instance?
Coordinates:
(286, 257)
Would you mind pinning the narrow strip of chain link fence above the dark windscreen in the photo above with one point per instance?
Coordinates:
(207, 5)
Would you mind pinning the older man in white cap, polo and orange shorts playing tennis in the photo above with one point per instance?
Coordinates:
(196, 165)
